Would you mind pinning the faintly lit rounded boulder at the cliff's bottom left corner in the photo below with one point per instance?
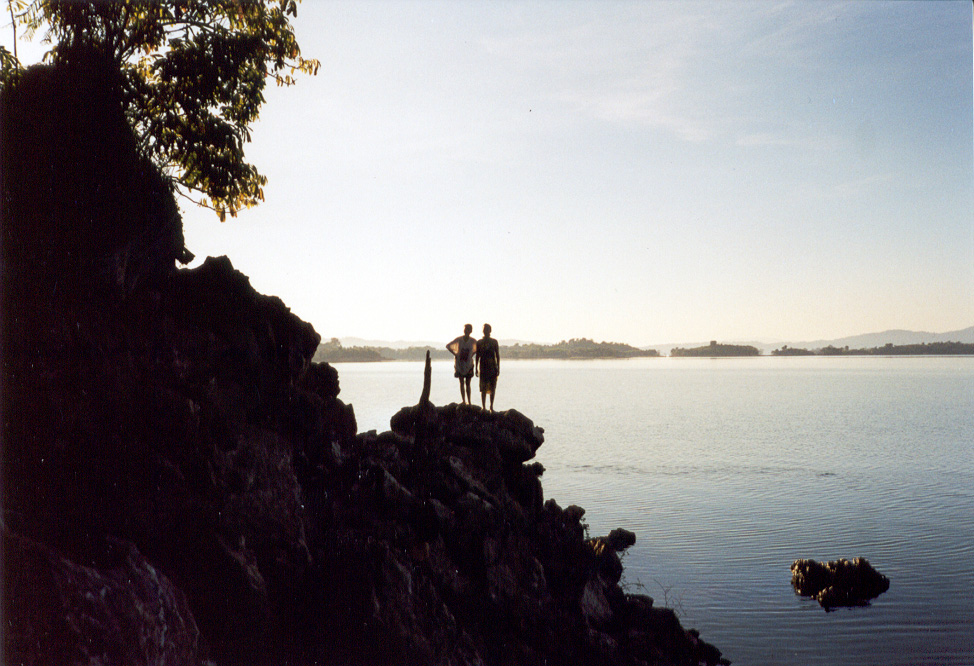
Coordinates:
(123, 611)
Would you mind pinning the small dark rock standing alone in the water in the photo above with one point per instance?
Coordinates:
(838, 583)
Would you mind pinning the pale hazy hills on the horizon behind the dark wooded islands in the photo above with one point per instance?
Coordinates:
(864, 341)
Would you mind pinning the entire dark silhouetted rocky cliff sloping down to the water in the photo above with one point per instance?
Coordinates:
(182, 485)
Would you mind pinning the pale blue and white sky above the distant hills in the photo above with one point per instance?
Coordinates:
(642, 172)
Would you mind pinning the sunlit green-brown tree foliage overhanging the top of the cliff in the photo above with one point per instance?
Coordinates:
(193, 75)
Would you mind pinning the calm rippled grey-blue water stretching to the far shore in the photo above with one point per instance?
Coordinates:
(728, 470)
